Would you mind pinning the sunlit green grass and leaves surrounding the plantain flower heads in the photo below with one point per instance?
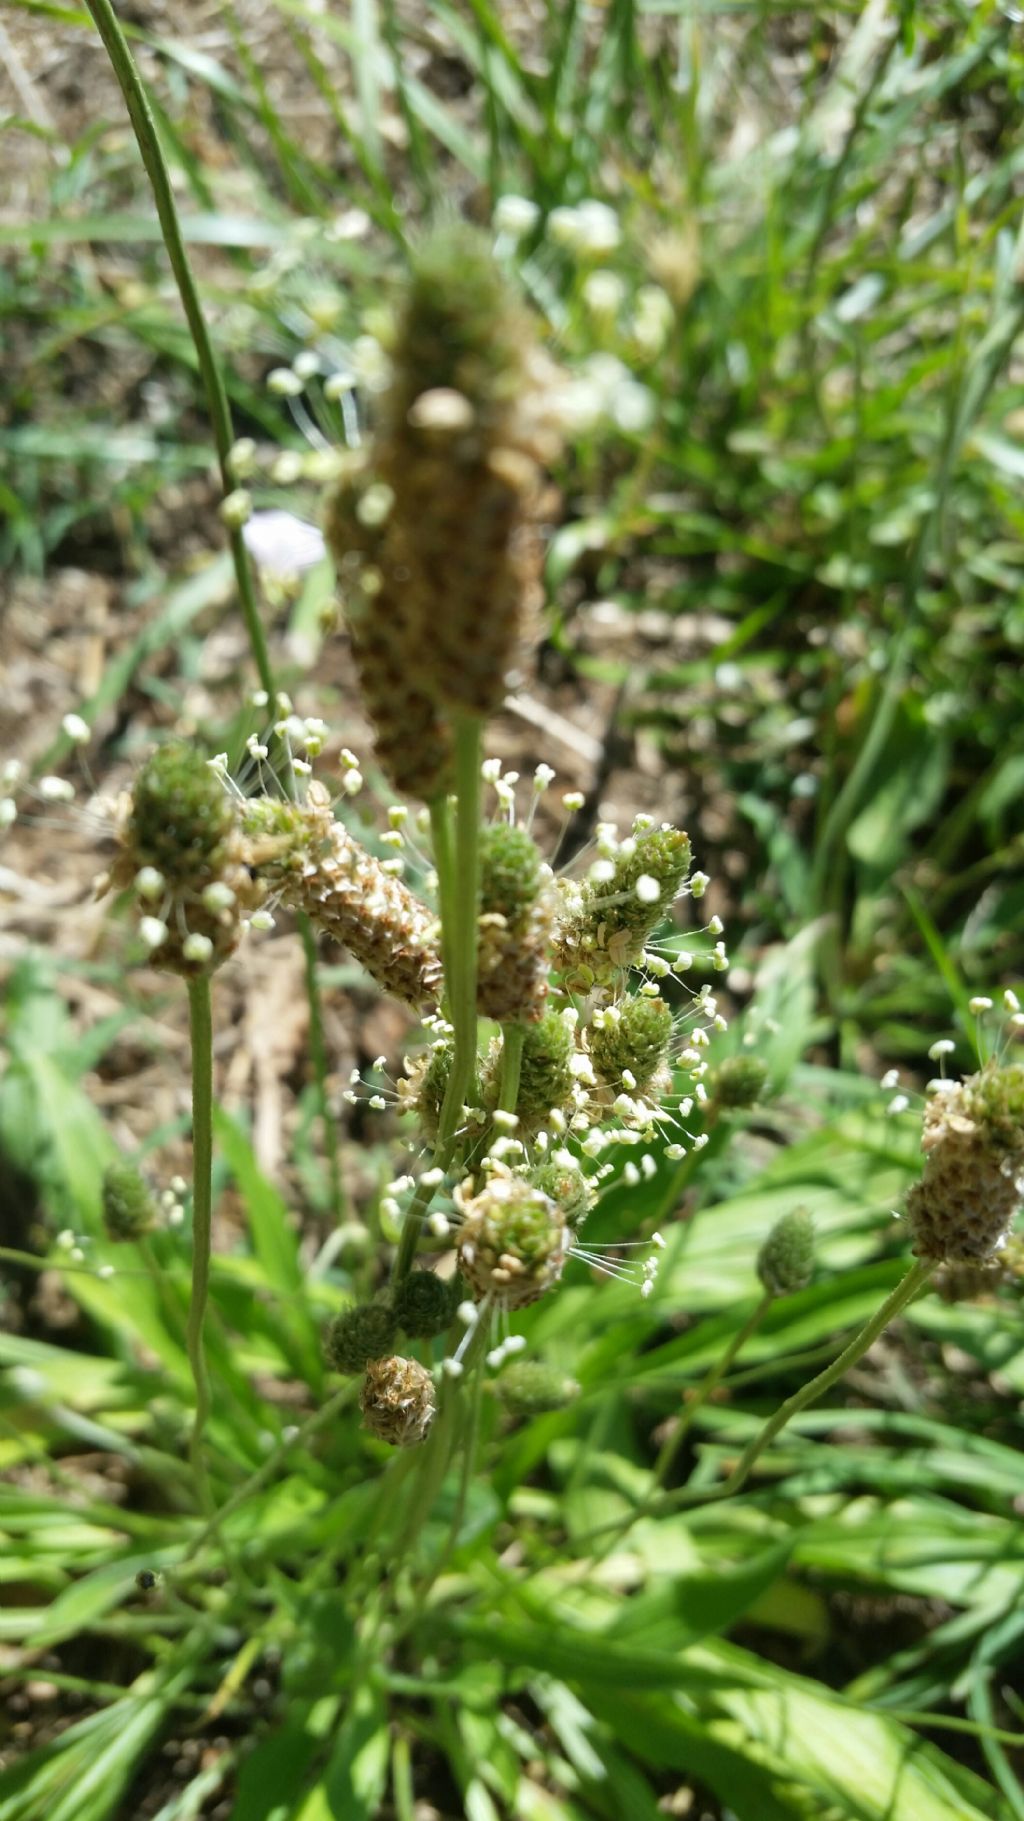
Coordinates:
(834, 474)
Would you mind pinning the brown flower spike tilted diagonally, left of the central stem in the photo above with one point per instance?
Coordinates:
(316, 866)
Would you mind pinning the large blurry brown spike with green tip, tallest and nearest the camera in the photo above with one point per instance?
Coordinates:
(460, 454)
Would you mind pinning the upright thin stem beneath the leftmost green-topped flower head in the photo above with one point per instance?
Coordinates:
(201, 1032)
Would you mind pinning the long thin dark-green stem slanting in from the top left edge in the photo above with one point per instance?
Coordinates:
(218, 405)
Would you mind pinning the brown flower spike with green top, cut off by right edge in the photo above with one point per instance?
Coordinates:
(974, 1166)
